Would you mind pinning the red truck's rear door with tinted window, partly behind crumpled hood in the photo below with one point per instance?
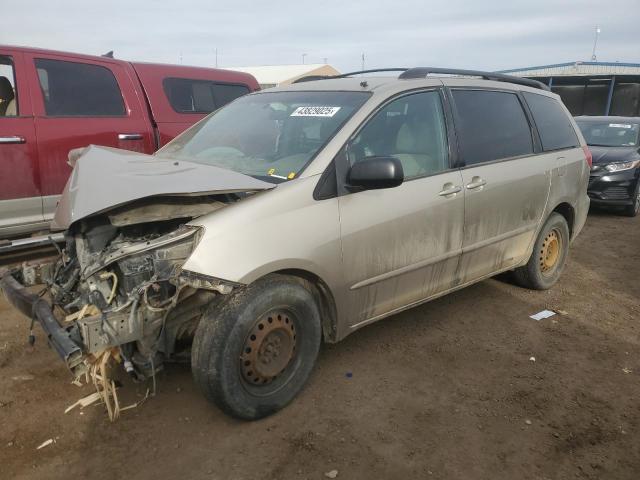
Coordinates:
(78, 102)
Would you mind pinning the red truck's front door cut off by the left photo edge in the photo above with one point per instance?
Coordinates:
(20, 195)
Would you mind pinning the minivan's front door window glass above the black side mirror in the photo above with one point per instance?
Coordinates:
(410, 128)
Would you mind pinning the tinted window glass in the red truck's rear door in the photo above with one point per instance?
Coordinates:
(73, 89)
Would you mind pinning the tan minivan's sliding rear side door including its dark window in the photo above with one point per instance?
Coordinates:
(506, 180)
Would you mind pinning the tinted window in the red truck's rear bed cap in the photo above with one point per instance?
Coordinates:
(200, 96)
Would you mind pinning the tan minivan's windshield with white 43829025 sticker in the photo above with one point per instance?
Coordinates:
(272, 136)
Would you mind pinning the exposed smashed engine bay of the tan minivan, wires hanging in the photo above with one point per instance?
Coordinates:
(118, 288)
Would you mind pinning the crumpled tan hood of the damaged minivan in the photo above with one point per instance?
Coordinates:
(104, 178)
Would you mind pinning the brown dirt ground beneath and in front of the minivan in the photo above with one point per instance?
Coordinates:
(443, 391)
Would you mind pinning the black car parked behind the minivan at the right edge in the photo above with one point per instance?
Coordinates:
(615, 173)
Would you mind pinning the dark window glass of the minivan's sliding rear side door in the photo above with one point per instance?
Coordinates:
(491, 126)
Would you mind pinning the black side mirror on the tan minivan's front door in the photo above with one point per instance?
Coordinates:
(376, 172)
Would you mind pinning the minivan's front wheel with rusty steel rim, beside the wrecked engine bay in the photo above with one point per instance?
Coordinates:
(278, 309)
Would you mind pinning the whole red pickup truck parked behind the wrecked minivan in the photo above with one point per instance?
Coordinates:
(52, 102)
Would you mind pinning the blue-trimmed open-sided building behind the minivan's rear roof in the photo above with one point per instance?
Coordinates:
(591, 88)
